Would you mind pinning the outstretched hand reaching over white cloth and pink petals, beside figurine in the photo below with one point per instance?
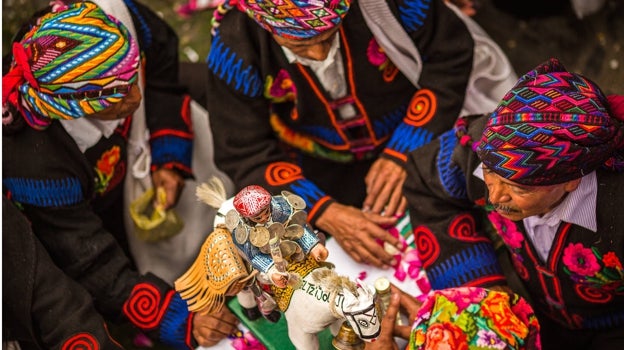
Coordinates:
(358, 232)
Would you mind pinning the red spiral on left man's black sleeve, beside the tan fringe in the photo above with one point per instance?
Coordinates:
(142, 306)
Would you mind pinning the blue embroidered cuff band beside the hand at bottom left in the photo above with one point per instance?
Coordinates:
(173, 325)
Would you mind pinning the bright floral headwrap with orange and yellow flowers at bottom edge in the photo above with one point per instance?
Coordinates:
(474, 318)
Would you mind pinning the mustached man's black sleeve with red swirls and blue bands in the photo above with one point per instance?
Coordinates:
(448, 225)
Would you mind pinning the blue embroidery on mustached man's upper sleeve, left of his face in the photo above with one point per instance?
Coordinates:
(451, 176)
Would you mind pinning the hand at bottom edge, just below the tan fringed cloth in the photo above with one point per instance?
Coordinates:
(209, 329)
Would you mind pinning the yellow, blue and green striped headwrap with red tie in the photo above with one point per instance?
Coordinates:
(73, 63)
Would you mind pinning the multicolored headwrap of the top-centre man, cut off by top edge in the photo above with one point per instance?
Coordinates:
(296, 19)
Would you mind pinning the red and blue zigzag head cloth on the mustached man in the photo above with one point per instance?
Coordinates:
(553, 126)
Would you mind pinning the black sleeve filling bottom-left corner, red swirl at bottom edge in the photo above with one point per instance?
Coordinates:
(41, 304)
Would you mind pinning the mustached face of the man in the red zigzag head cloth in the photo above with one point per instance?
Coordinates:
(516, 202)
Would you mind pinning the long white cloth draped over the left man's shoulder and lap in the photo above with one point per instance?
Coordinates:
(170, 258)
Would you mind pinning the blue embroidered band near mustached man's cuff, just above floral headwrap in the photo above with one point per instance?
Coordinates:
(469, 264)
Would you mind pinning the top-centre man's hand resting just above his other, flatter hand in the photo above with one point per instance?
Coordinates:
(384, 188)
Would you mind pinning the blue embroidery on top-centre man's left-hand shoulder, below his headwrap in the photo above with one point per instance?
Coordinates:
(224, 63)
